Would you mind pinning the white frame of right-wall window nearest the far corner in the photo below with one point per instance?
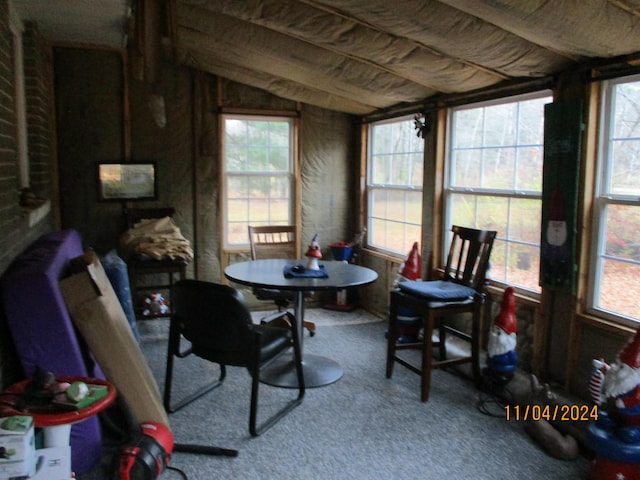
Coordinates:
(373, 187)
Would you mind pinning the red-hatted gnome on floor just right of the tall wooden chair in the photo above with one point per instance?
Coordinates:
(501, 347)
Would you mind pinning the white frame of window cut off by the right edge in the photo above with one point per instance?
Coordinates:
(601, 200)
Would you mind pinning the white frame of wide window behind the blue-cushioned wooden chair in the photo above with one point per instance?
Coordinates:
(449, 191)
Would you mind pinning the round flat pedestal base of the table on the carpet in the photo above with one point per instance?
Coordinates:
(318, 372)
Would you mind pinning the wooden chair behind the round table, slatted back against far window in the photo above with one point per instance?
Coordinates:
(275, 241)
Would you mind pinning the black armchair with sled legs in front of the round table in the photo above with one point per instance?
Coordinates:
(216, 321)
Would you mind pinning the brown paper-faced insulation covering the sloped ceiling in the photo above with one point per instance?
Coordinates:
(363, 56)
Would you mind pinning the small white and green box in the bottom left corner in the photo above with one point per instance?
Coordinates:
(17, 447)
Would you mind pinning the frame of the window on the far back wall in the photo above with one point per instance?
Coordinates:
(291, 174)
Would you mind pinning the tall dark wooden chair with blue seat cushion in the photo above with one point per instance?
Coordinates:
(459, 291)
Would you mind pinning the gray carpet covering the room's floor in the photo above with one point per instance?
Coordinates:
(364, 426)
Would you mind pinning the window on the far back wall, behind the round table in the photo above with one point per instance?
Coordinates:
(258, 174)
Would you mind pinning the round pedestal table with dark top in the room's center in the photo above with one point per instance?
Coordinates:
(318, 370)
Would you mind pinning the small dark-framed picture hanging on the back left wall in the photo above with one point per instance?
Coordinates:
(127, 181)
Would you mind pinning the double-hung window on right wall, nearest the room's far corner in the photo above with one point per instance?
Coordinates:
(394, 186)
